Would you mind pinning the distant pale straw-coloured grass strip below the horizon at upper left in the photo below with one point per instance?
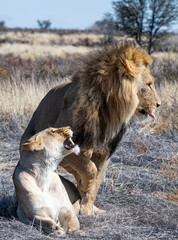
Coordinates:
(35, 45)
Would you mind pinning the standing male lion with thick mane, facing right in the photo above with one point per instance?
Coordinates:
(105, 92)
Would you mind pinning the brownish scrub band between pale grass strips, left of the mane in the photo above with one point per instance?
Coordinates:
(42, 69)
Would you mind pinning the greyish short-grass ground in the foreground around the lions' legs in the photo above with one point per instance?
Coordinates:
(138, 191)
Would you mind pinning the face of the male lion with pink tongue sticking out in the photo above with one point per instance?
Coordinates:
(147, 95)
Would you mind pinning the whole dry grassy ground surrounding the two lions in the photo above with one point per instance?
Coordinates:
(143, 173)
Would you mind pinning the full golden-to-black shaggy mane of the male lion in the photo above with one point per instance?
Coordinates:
(103, 93)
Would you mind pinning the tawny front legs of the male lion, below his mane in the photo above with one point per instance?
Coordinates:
(89, 175)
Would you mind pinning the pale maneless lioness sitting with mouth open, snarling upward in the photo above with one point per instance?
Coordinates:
(41, 196)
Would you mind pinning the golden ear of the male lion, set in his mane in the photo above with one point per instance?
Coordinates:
(128, 66)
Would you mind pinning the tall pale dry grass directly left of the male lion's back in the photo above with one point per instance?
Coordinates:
(19, 98)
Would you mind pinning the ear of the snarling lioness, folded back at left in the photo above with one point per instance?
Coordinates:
(34, 144)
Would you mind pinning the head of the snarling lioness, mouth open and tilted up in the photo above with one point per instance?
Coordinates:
(56, 142)
